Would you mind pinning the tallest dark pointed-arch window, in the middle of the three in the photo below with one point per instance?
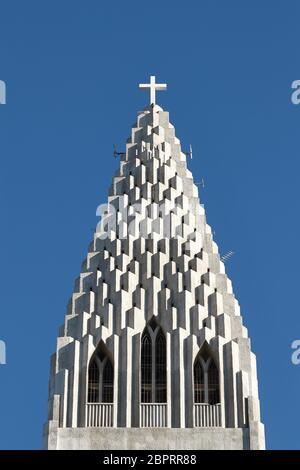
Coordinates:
(153, 365)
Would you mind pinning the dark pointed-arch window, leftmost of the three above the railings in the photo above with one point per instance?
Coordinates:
(100, 378)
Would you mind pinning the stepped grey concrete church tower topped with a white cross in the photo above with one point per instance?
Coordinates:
(153, 353)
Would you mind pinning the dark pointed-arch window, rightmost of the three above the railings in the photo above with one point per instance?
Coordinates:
(206, 378)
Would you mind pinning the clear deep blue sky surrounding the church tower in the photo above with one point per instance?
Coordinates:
(71, 70)
